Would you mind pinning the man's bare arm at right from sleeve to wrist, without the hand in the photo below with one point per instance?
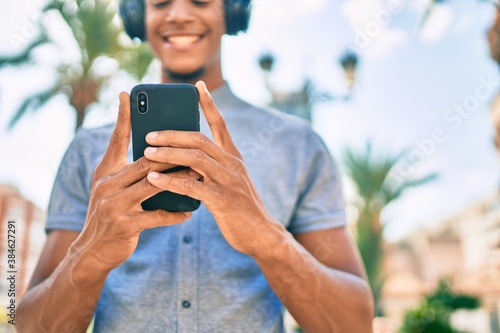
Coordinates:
(321, 281)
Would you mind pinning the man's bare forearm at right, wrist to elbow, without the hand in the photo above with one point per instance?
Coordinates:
(320, 298)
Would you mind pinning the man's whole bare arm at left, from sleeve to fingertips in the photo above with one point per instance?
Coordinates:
(73, 268)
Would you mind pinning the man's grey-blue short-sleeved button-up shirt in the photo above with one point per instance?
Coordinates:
(187, 278)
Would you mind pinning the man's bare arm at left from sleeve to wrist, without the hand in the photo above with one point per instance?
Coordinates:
(63, 292)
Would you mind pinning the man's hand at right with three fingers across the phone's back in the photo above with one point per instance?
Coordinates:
(225, 187)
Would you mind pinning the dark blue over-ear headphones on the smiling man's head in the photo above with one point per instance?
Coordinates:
(237, 15)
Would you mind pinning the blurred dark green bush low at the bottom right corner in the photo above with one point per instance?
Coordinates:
(433, 313)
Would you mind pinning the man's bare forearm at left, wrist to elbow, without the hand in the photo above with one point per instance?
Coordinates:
(65, 301)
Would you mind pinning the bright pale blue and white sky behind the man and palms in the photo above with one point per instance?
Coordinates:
(423, 88)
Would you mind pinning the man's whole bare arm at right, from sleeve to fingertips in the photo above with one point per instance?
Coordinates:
(325, 290)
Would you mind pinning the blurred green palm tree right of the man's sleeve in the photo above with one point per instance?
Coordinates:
(370, 174)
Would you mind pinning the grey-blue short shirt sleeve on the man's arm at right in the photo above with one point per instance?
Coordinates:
(321, 202)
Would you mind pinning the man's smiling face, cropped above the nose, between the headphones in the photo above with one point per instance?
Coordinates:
(185, 34)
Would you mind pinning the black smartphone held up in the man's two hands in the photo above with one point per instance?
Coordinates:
(157, 107)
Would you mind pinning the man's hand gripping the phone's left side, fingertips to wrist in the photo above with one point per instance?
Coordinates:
(115, 217)
